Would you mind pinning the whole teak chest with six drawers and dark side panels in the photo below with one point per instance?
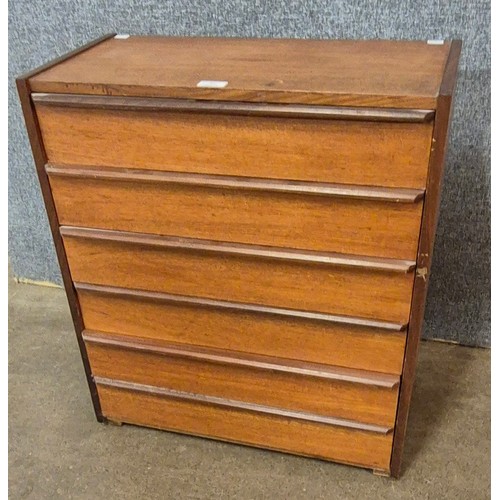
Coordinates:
(245, 230)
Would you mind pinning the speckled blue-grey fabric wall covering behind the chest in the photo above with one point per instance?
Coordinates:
(458, 306)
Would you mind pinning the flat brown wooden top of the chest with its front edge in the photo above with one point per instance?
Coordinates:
(374, 73)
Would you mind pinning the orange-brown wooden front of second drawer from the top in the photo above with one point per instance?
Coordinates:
(252, 216)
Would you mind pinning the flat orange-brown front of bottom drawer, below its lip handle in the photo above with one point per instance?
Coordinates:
(372, 450)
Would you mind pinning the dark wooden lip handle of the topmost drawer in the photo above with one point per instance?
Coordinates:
(234, 108)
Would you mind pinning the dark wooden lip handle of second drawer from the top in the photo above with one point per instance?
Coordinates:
(375, 193)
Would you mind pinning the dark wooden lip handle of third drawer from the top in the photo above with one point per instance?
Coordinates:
(240, 249)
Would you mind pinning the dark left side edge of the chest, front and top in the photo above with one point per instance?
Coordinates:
(40, 159)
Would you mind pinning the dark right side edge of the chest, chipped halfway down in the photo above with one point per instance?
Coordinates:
(425, 248)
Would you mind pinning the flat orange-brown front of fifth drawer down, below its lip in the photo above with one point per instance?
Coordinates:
(362, 403)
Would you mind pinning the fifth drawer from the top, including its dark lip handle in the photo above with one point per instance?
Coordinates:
(318, 390)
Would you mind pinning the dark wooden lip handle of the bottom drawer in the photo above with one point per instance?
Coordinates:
(242, 405)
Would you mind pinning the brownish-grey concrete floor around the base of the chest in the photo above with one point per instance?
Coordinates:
(58, 450)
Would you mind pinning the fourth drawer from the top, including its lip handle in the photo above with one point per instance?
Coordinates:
(298, 335)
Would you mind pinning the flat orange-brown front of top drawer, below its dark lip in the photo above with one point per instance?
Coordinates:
(350, 152)
